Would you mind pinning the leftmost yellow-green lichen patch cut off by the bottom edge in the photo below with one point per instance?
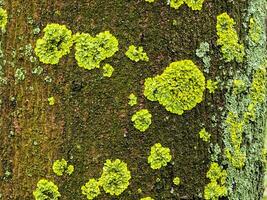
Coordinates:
(46, 190)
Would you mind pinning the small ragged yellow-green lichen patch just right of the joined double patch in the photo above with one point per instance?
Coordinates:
(136, 53)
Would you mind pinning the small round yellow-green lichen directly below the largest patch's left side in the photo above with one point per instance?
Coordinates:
(142, 120)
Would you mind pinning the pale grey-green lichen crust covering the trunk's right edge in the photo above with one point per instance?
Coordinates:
(244, 176)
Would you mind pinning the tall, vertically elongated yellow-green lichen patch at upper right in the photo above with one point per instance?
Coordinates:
(228, 39)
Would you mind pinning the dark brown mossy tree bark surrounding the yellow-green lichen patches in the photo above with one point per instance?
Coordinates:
(91, 119)
